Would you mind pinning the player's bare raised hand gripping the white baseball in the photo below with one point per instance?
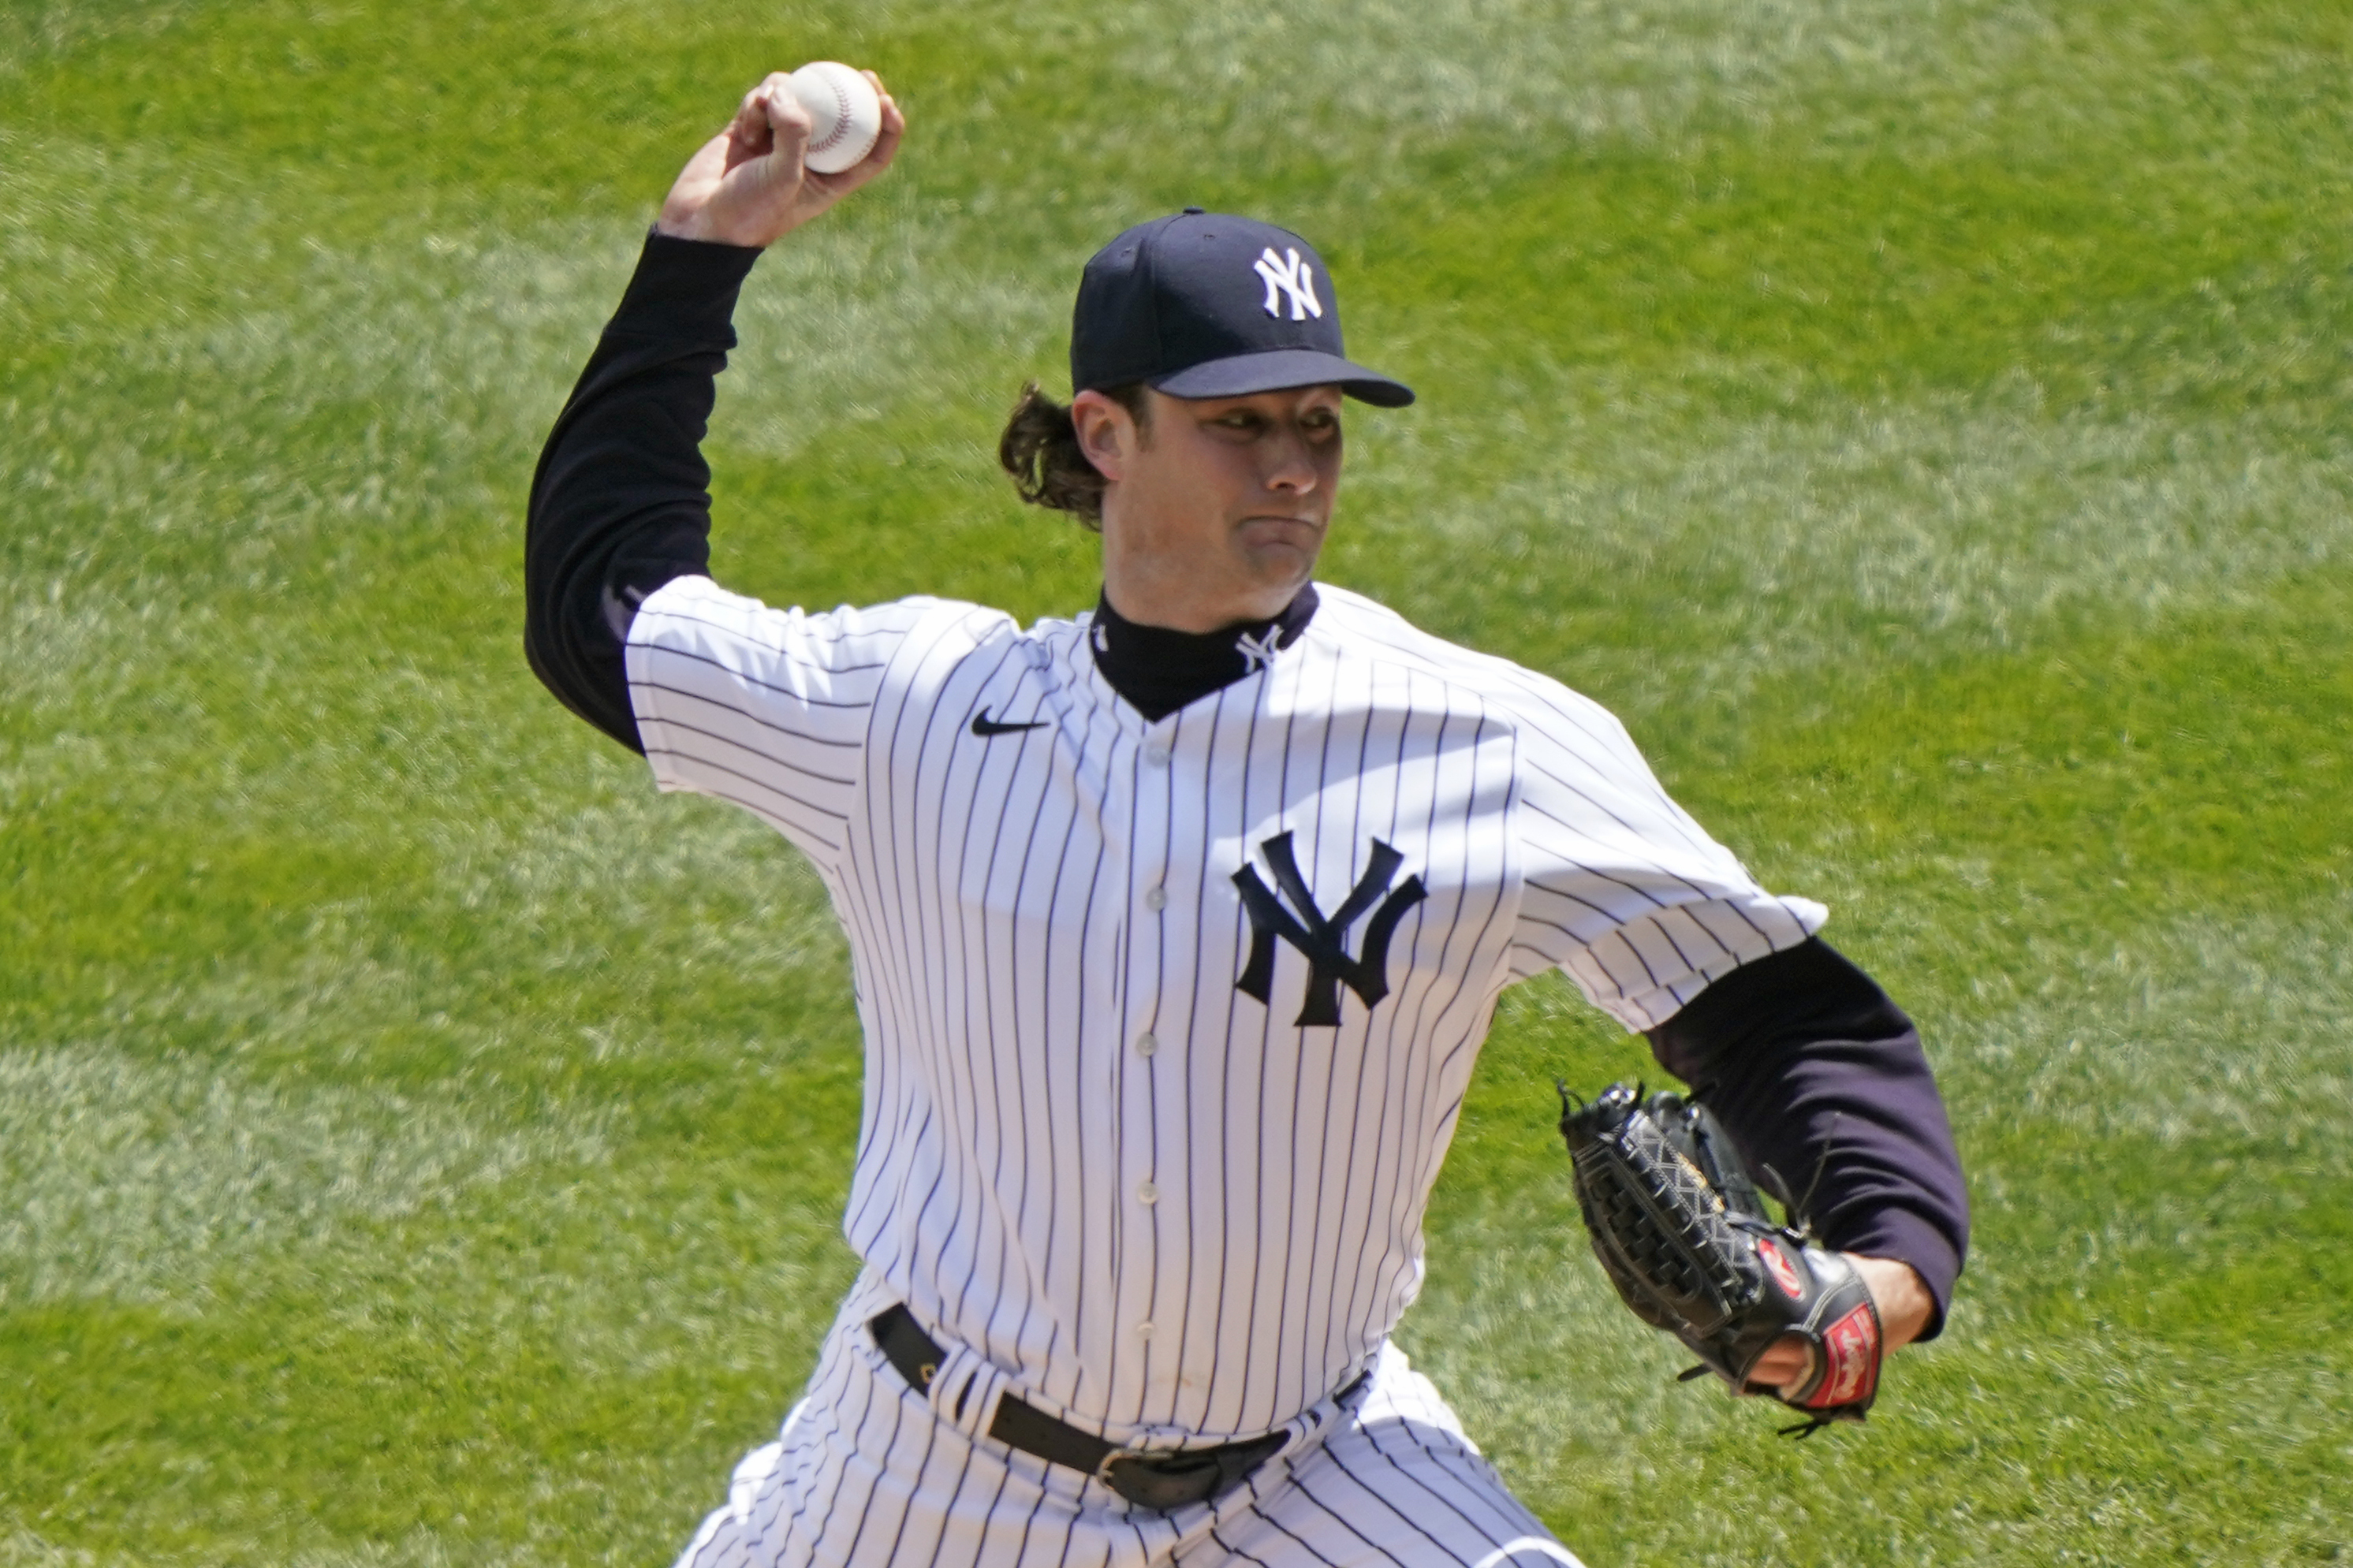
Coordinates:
(749, 187)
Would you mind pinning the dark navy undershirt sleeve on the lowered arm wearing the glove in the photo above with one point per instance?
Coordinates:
(1820, 1076)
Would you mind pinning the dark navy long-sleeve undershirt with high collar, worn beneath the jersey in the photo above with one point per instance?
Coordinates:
(1811, 1066)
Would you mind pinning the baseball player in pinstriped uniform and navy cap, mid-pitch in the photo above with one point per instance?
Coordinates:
(1175, 930)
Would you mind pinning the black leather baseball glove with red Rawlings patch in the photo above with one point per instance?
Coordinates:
(1686, 1240)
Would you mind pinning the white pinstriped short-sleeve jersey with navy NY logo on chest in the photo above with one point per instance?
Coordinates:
(1168, 1024)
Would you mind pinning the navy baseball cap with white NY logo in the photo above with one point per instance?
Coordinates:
(1206, 304)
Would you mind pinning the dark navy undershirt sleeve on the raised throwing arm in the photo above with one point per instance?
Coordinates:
(622, 497)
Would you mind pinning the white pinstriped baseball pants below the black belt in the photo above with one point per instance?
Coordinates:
(869, 1473)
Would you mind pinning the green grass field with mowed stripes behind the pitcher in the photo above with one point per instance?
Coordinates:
(1926, 422)
